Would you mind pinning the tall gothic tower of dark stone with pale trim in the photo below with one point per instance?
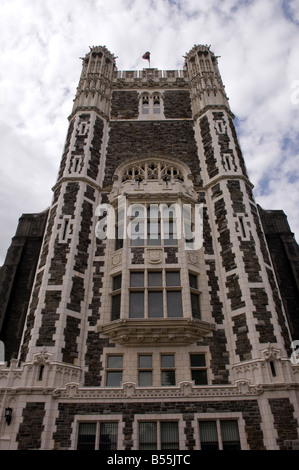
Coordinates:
(143, 342)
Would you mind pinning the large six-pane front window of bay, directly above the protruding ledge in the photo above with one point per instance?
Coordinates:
(155, 294)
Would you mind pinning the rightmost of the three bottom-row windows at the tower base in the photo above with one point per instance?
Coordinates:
(219, 435)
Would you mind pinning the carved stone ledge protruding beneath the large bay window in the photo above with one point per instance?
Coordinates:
(162, 331)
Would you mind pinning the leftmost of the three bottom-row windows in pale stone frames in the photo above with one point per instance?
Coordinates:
(102, 436)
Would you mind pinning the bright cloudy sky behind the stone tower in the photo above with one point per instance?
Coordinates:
(41, 42)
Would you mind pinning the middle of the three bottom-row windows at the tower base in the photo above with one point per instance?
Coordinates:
(158, 435)
